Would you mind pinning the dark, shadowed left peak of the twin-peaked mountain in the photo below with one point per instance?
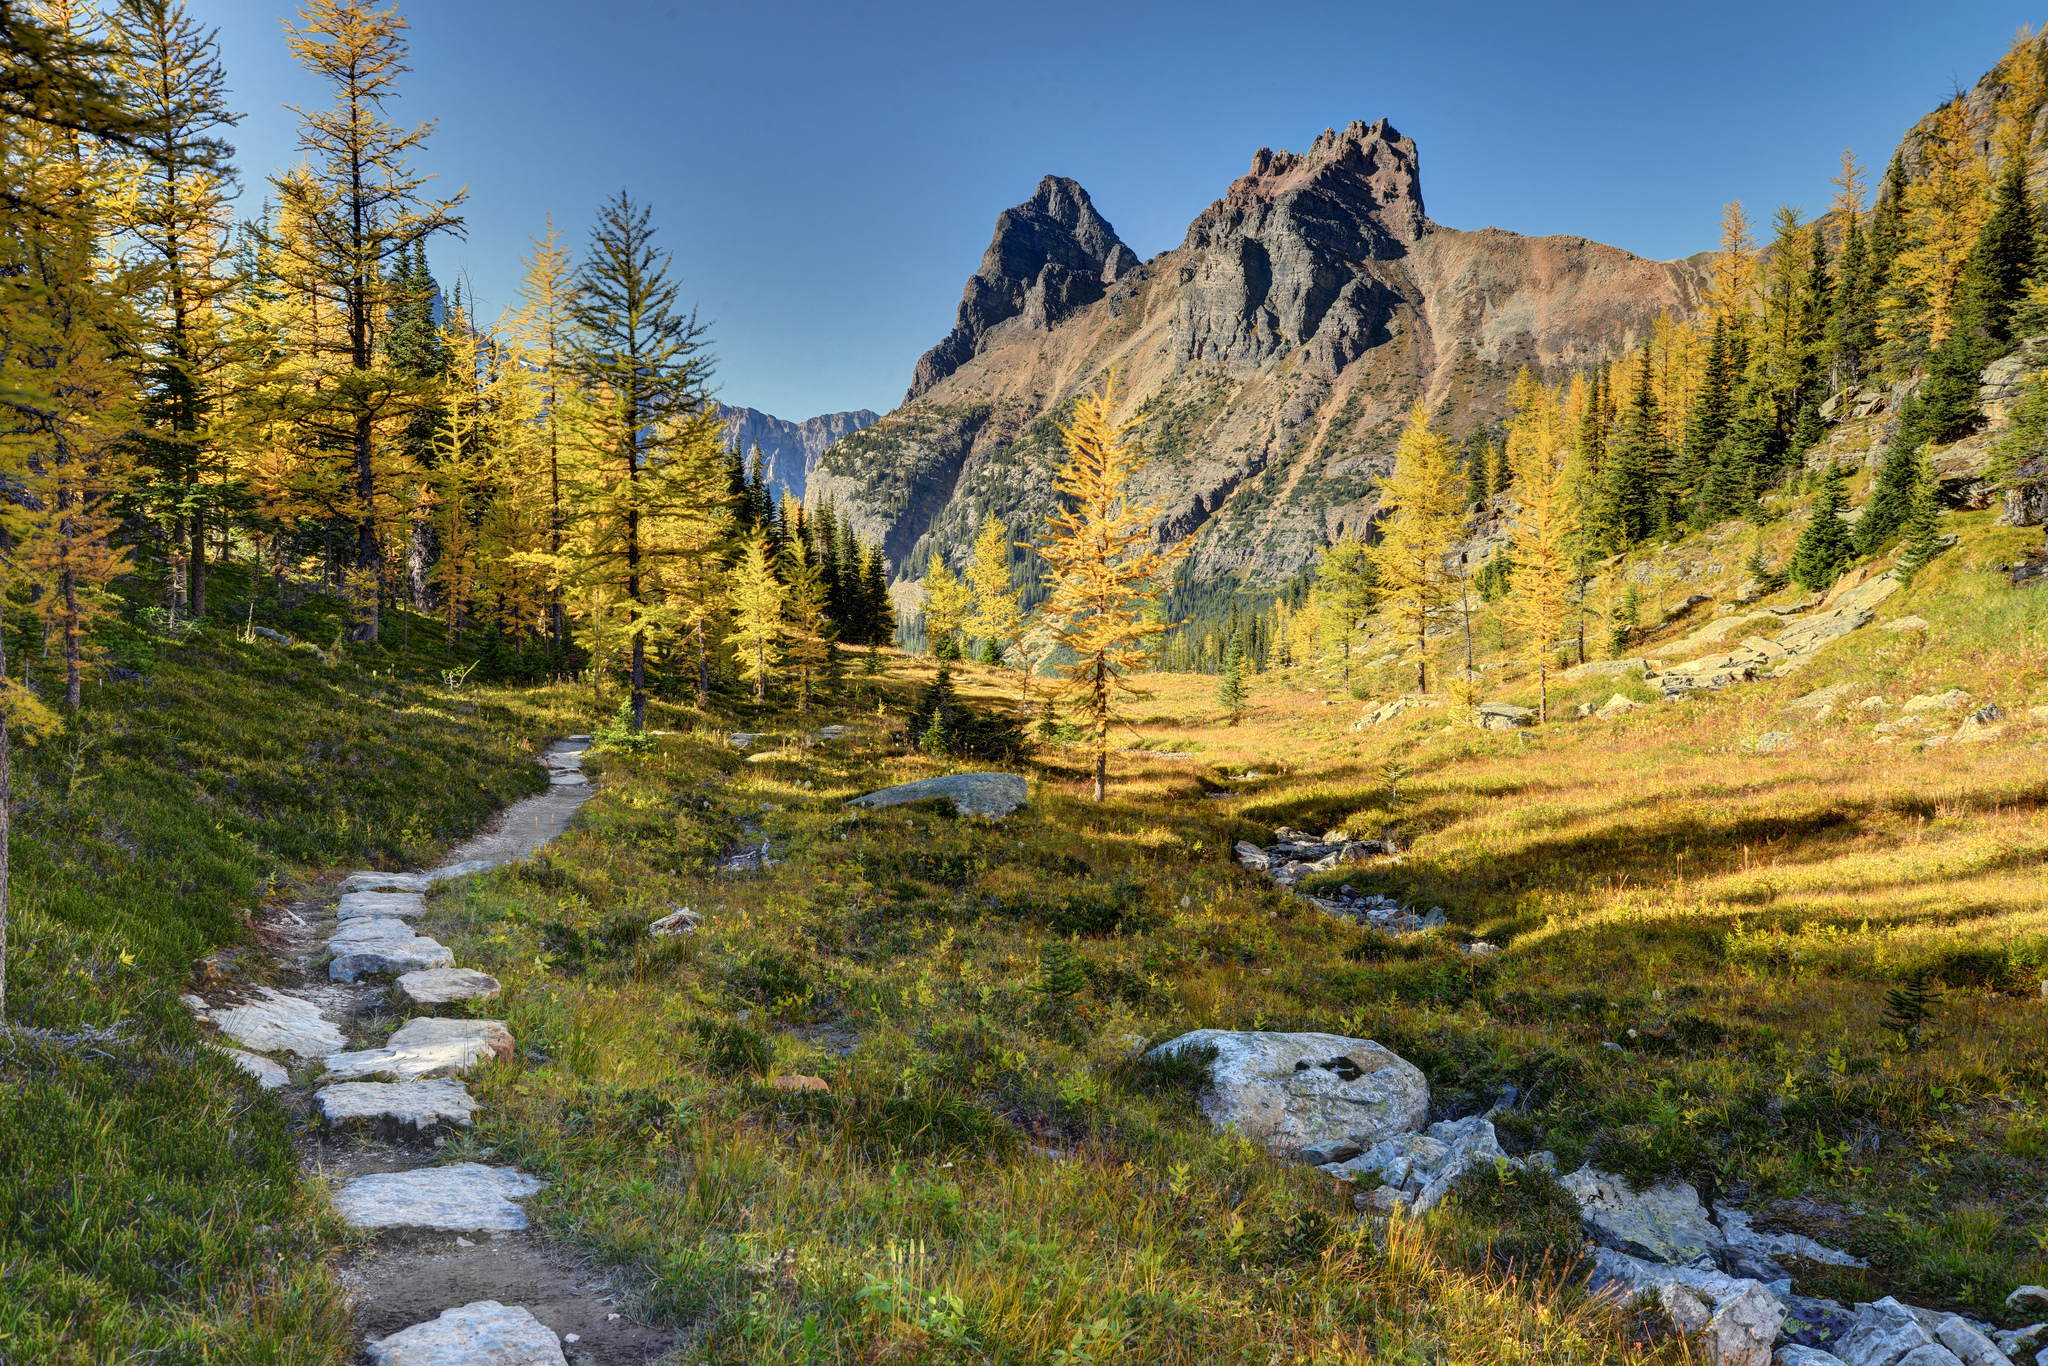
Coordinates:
(1052, 257)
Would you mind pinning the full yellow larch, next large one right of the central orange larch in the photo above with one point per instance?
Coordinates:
(1426, 495)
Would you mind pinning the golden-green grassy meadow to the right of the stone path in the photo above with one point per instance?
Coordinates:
(1732, 921)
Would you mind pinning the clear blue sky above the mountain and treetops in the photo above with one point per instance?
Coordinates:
(826, 175)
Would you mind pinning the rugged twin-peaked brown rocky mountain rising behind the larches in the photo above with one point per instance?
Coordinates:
(1271, 357)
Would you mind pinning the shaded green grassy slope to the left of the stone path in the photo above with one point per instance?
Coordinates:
(151, 1195)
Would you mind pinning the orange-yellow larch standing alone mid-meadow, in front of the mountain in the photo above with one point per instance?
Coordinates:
(1103, 570)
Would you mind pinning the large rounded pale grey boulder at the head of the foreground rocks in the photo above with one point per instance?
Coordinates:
(1316, 1099)
